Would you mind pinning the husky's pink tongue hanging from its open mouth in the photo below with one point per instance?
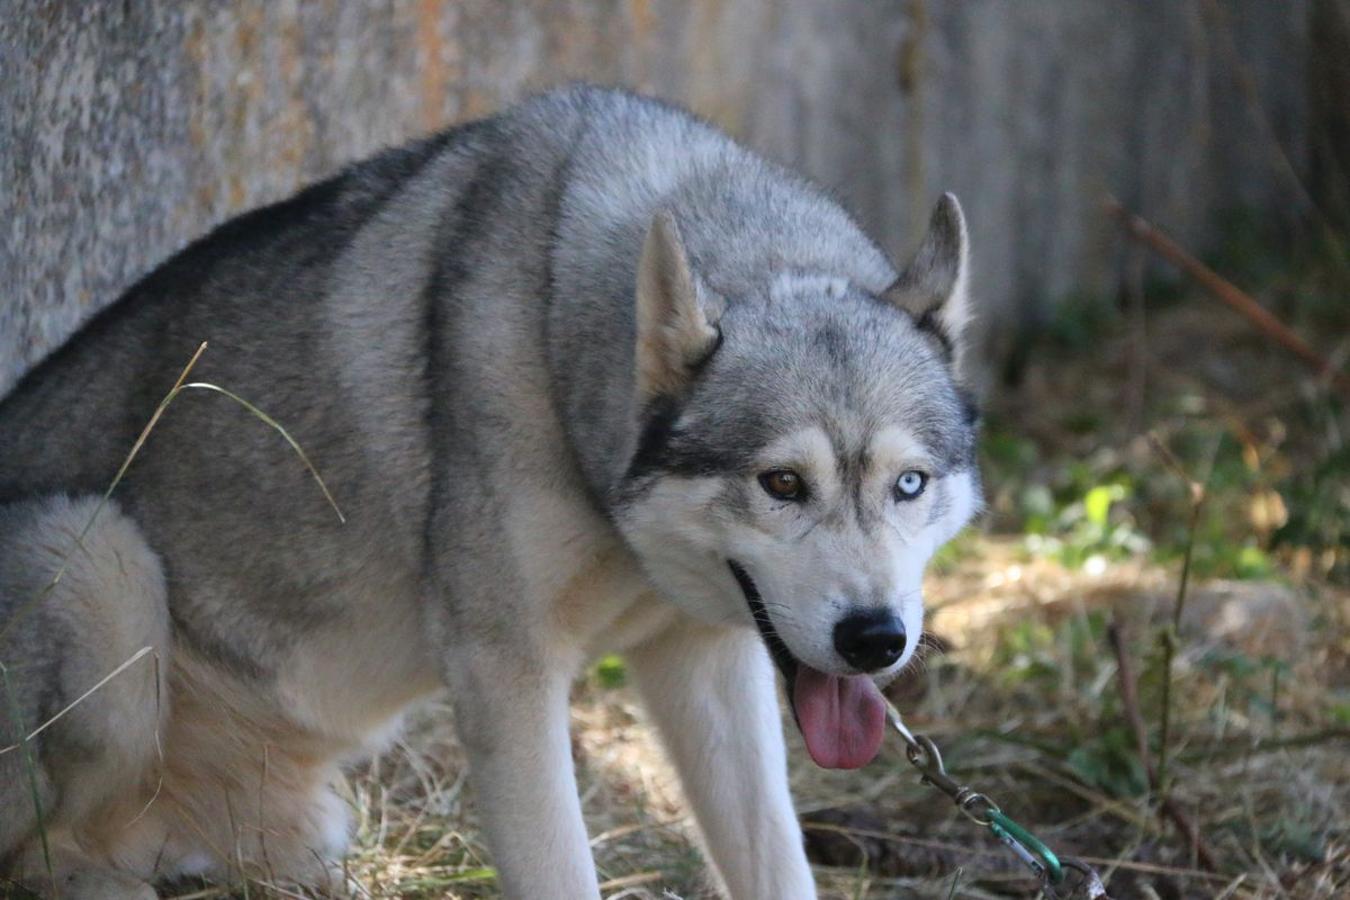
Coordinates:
(842, 717)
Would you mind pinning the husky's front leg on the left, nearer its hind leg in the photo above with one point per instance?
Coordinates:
(512, 716)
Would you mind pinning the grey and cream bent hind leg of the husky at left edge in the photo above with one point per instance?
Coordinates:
(57, 644)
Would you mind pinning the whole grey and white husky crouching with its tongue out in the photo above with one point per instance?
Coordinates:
(585, 377)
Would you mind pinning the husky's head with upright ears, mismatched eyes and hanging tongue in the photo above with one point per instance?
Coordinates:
(803, 455)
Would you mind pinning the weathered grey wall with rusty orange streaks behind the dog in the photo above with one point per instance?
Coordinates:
(129, 129)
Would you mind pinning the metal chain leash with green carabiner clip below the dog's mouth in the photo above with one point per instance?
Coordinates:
(1050, 868)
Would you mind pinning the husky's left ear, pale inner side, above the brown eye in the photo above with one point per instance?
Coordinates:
(677, 314)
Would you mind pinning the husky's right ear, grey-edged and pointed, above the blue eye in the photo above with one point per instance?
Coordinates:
(934, 287)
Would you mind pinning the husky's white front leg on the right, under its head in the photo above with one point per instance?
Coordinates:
(712, 694)
